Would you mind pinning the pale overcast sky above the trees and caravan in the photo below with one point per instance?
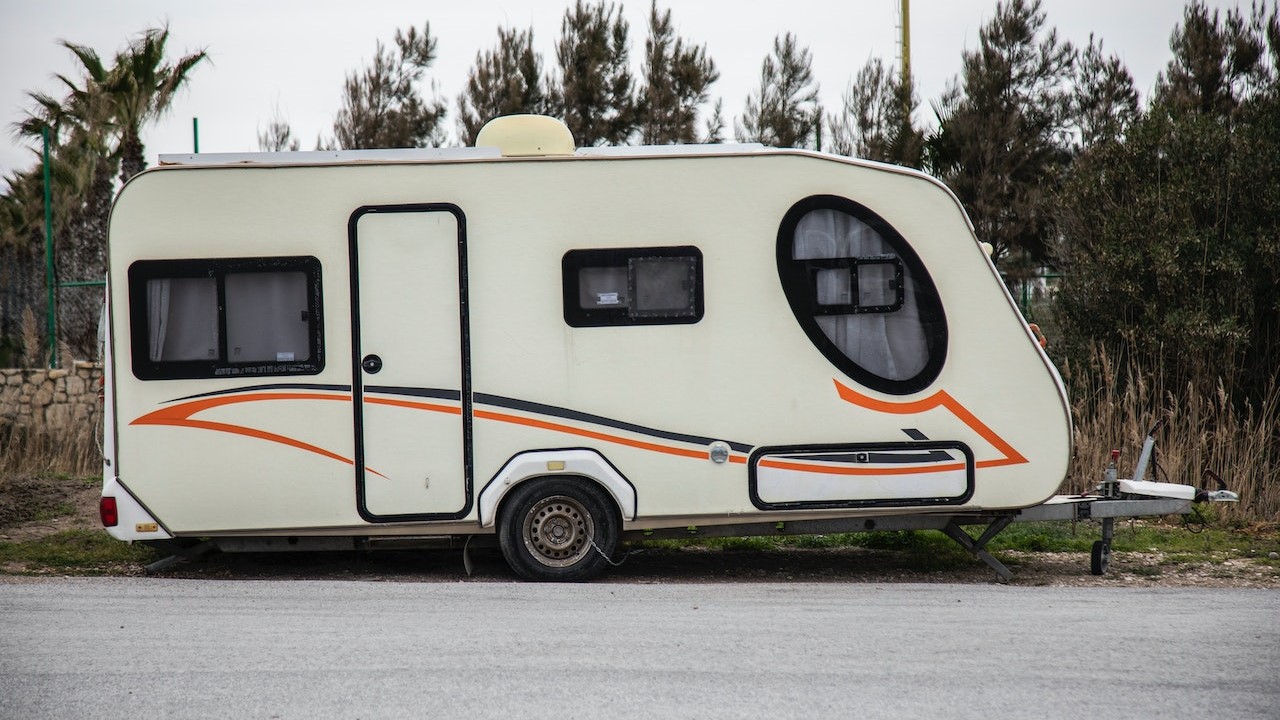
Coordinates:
(292, 57)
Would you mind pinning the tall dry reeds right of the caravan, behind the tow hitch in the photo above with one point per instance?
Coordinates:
(1205, 427)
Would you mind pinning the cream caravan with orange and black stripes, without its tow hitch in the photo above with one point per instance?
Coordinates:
(563, 348)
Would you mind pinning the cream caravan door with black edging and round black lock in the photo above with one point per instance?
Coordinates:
(412, 391)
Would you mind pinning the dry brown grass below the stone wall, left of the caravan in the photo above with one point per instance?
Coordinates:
(75, 450)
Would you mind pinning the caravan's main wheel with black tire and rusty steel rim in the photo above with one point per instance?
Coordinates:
(559, 530)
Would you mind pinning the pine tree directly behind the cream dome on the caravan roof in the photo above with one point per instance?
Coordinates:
(505, 81)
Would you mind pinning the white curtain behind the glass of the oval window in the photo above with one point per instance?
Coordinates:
(892, 345)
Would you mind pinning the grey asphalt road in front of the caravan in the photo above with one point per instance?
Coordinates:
(158, 649)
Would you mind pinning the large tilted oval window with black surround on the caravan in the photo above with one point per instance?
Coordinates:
(862, 295)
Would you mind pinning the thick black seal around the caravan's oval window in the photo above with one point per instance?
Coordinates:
(798, 288)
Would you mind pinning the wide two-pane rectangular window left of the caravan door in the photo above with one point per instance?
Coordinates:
(226, 318)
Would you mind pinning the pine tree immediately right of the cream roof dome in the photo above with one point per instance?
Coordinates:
(596, 93)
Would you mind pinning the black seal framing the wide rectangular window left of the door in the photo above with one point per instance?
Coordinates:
(218, 268)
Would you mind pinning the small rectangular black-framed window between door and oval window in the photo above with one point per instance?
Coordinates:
(636, 286)
